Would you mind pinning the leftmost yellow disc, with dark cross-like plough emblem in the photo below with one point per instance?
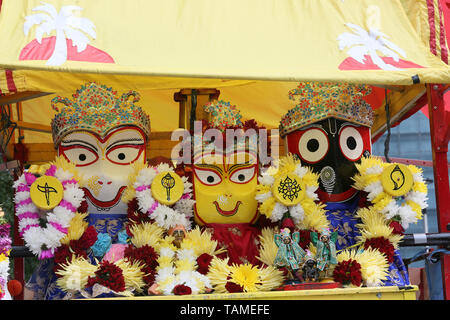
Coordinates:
(46, 192)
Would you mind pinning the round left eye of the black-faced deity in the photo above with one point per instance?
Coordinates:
(313, 145)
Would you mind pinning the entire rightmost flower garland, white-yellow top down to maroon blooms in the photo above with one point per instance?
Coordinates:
(382, 224)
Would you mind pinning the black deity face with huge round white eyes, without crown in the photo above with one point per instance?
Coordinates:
(331, 147)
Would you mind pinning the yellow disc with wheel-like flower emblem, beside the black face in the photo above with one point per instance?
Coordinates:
(288, 189)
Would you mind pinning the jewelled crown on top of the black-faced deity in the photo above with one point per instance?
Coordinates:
(321, 100)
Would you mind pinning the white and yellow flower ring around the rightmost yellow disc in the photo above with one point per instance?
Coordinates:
(405, 209)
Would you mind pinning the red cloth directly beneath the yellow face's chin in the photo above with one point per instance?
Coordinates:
(241, 240)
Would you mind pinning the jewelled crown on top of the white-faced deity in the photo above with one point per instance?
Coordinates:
(97, 108)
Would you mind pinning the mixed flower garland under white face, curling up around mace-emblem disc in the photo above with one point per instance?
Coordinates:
(129, 266)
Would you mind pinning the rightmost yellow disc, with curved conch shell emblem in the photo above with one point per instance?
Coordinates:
(397, 180)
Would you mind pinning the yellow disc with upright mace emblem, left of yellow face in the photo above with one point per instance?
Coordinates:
(167, 187)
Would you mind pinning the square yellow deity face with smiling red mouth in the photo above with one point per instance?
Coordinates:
(224, 189)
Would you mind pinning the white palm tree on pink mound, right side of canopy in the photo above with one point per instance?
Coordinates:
(366, 45)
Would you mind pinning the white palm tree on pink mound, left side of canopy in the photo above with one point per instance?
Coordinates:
(67, 26)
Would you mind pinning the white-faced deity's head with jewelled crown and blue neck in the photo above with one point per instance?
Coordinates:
(103, 135)
